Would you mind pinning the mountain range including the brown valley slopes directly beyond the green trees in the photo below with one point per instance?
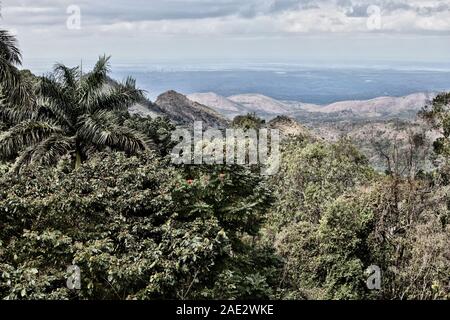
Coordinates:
(385, 119)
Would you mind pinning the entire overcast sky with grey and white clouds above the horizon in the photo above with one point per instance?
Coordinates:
(224, 30)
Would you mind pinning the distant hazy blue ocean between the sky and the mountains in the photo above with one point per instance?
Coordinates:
(312, 84)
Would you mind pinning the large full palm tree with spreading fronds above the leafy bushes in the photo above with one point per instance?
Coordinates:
(73, 114)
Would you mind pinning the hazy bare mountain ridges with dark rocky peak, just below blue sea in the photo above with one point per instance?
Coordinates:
(218, 111)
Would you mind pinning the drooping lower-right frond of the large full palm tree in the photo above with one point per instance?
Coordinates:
(101, 129)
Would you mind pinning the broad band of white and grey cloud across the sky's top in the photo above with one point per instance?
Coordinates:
(233, 16)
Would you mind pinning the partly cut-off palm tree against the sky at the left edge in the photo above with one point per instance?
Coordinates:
(16, 89)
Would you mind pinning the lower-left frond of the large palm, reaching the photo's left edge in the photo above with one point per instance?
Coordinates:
(25, 134)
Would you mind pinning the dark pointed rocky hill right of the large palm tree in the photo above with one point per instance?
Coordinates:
(184, 111)
